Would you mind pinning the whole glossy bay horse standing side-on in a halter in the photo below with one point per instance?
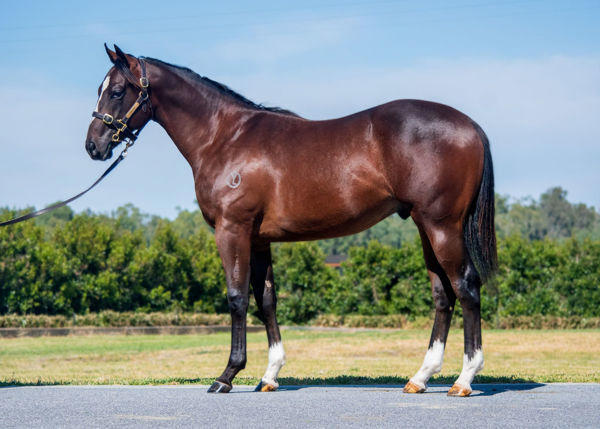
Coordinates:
(264, 174)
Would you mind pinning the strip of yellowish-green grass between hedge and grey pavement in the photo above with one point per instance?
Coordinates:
(314, 357)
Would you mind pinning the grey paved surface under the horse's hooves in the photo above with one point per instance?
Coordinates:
(533, 405)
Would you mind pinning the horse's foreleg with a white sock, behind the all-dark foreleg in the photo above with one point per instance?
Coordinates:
(263, 286)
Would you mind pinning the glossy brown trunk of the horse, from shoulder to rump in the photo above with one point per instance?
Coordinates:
(319, 179)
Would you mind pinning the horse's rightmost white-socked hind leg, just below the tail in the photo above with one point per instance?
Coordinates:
(448, 245)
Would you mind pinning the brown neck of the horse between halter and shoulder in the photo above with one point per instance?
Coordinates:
(192, 113)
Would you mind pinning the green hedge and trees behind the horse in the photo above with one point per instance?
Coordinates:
(67, 263)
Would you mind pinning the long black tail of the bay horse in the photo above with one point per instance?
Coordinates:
(479, 228)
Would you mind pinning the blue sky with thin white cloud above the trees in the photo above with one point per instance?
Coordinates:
(528, 71)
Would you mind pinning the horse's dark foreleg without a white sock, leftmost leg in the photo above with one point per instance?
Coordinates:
(233, 243)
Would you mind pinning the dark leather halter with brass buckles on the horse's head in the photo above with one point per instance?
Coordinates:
(120, 125)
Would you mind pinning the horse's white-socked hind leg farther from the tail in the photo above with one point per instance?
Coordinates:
(444, 299)
